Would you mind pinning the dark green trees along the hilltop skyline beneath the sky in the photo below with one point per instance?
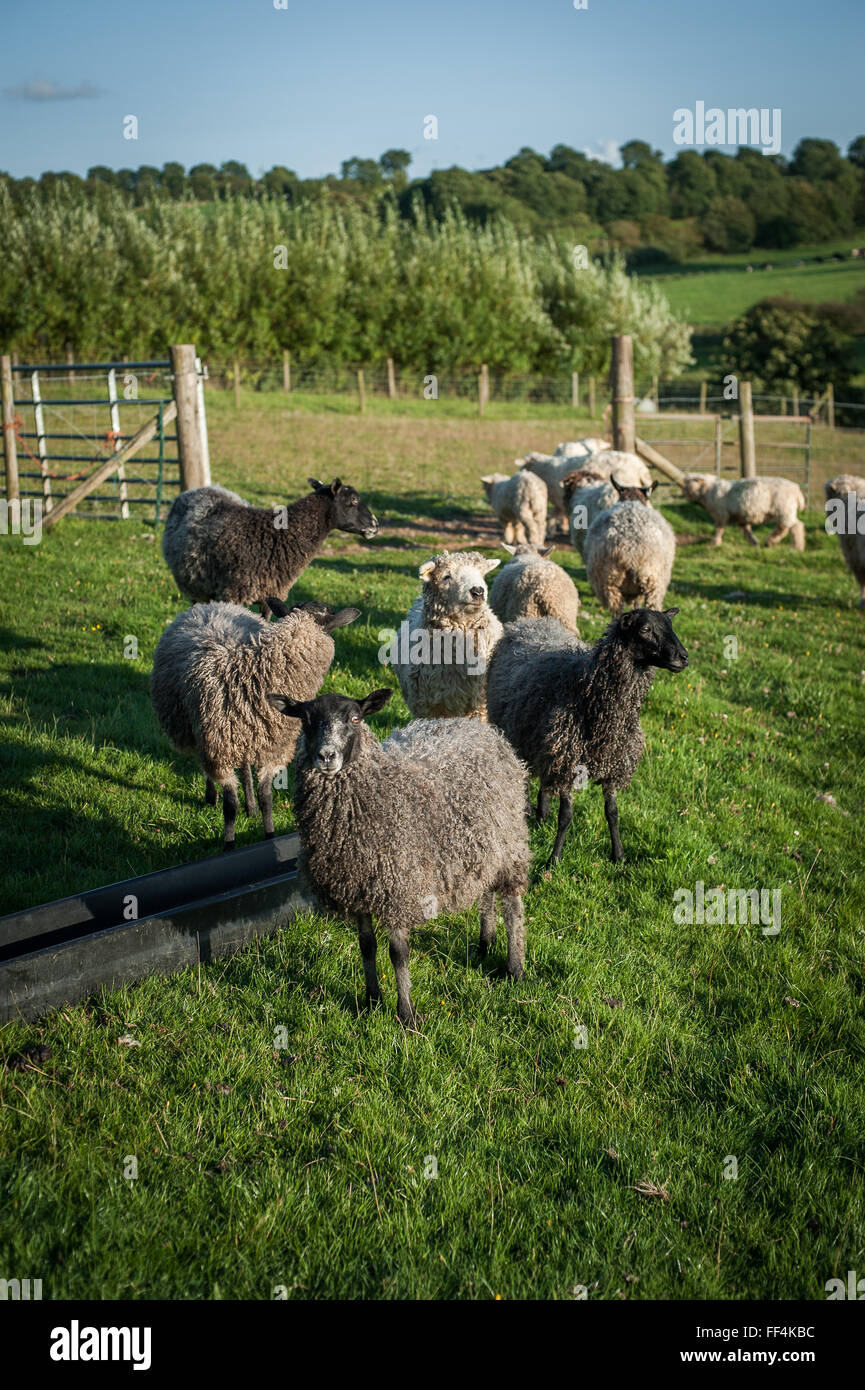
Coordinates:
(716, 201)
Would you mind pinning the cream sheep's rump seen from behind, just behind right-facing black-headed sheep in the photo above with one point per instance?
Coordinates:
(629, 557)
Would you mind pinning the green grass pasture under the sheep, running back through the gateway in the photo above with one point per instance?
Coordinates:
(308, 1166)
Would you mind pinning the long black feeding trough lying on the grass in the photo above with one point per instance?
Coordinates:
(159, 924)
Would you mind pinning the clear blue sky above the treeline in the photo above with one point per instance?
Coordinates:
(323, 80)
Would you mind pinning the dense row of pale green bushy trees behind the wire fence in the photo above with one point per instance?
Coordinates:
(251, 277)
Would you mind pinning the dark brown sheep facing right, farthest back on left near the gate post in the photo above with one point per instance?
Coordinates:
(218, 547)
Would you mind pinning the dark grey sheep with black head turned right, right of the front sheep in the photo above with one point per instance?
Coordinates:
(572, 711)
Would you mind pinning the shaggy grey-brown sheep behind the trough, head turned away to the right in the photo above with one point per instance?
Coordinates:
(211, 673)
